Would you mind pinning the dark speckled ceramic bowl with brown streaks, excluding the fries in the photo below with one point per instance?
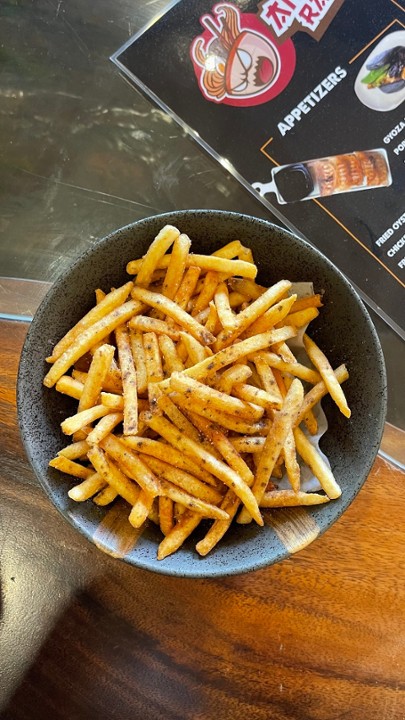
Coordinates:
(343, 330)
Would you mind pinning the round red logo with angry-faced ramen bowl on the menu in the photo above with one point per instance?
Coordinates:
(240, 64)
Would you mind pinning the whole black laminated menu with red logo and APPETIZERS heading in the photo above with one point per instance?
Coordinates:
(303, 101)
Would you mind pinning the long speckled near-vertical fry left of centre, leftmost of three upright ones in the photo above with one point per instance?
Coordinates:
(129, 384)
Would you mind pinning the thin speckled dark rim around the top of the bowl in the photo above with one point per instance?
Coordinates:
(198, 570)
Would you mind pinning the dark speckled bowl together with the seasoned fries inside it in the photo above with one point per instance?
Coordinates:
(202, 393)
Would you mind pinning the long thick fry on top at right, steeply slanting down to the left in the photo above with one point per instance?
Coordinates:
(283, 422)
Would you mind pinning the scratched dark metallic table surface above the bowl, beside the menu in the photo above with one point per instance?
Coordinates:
(82, 152)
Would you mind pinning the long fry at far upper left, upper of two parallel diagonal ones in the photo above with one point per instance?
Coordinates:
(103, 309)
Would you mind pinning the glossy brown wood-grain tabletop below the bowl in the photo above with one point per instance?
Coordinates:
(320, 636)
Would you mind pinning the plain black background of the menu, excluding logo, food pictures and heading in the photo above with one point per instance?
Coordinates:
(343, 226)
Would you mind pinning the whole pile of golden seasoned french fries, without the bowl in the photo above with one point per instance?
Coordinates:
(191, 405)
